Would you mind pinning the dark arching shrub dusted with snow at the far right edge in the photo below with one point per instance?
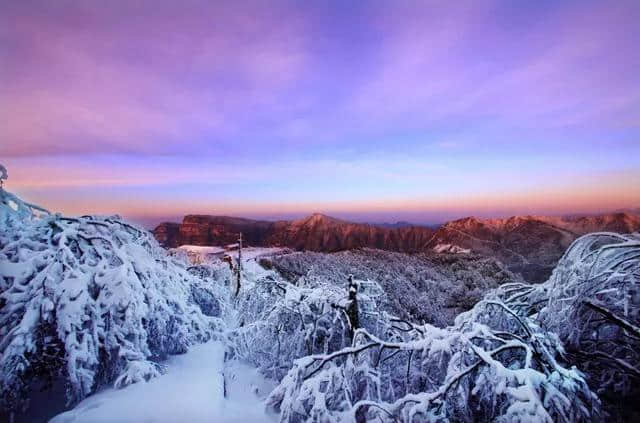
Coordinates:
(592, 302)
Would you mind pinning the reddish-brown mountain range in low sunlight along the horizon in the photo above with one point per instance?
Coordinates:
(529, 245)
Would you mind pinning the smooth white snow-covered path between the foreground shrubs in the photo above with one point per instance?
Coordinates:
(192, 390)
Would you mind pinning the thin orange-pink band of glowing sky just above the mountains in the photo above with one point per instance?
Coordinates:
(606, 195)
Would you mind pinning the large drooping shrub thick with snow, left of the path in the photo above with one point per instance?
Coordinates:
(91, 300)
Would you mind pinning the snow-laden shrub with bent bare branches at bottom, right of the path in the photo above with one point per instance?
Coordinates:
(468, 372)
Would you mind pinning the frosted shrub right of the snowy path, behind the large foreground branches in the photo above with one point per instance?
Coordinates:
(280, 322)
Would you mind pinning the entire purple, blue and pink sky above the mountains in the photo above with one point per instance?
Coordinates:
(367, 110)
